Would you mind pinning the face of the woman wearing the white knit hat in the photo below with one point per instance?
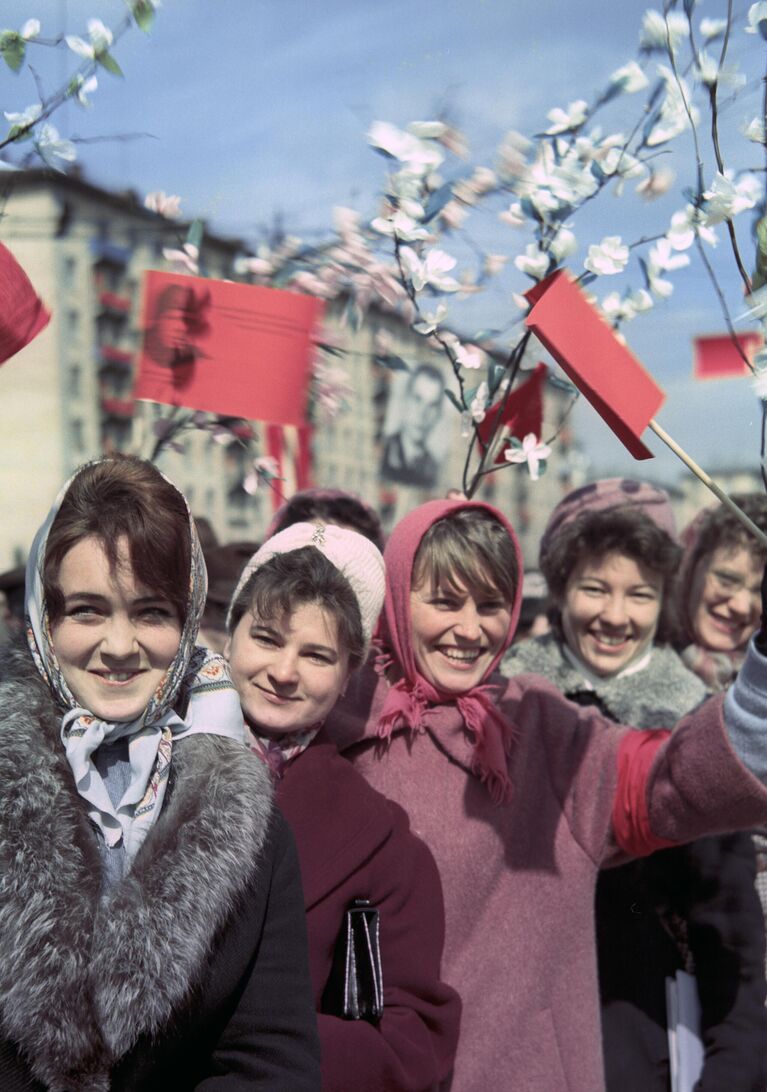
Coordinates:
(289, 672)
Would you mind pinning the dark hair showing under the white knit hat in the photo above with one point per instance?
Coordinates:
(301, 577)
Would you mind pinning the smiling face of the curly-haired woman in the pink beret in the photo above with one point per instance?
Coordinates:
(610, 612)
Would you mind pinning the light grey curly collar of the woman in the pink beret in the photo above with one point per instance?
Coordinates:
(654, 698)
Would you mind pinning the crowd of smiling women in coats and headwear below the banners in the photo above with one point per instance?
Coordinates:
(333, 823)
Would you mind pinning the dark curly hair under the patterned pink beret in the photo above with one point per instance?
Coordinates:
(595, 535)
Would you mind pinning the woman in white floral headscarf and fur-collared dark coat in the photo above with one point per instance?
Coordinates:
(141, 863)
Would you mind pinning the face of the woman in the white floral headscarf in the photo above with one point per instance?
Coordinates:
(116, 638)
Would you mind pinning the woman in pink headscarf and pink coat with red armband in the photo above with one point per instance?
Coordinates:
(522, 797)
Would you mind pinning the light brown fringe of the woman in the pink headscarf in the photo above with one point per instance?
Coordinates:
(470, 547)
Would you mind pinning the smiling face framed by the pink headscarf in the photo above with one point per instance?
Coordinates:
(456, 635)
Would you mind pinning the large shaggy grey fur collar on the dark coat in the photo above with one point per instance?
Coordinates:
(81, 981)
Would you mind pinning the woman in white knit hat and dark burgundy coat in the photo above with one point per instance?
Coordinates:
(301, 622)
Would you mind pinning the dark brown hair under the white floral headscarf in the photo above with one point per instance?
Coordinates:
(120, 497)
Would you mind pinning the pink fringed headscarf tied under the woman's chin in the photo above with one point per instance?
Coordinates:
(412, 697)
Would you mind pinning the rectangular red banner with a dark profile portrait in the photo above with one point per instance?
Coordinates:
(237, 350)
